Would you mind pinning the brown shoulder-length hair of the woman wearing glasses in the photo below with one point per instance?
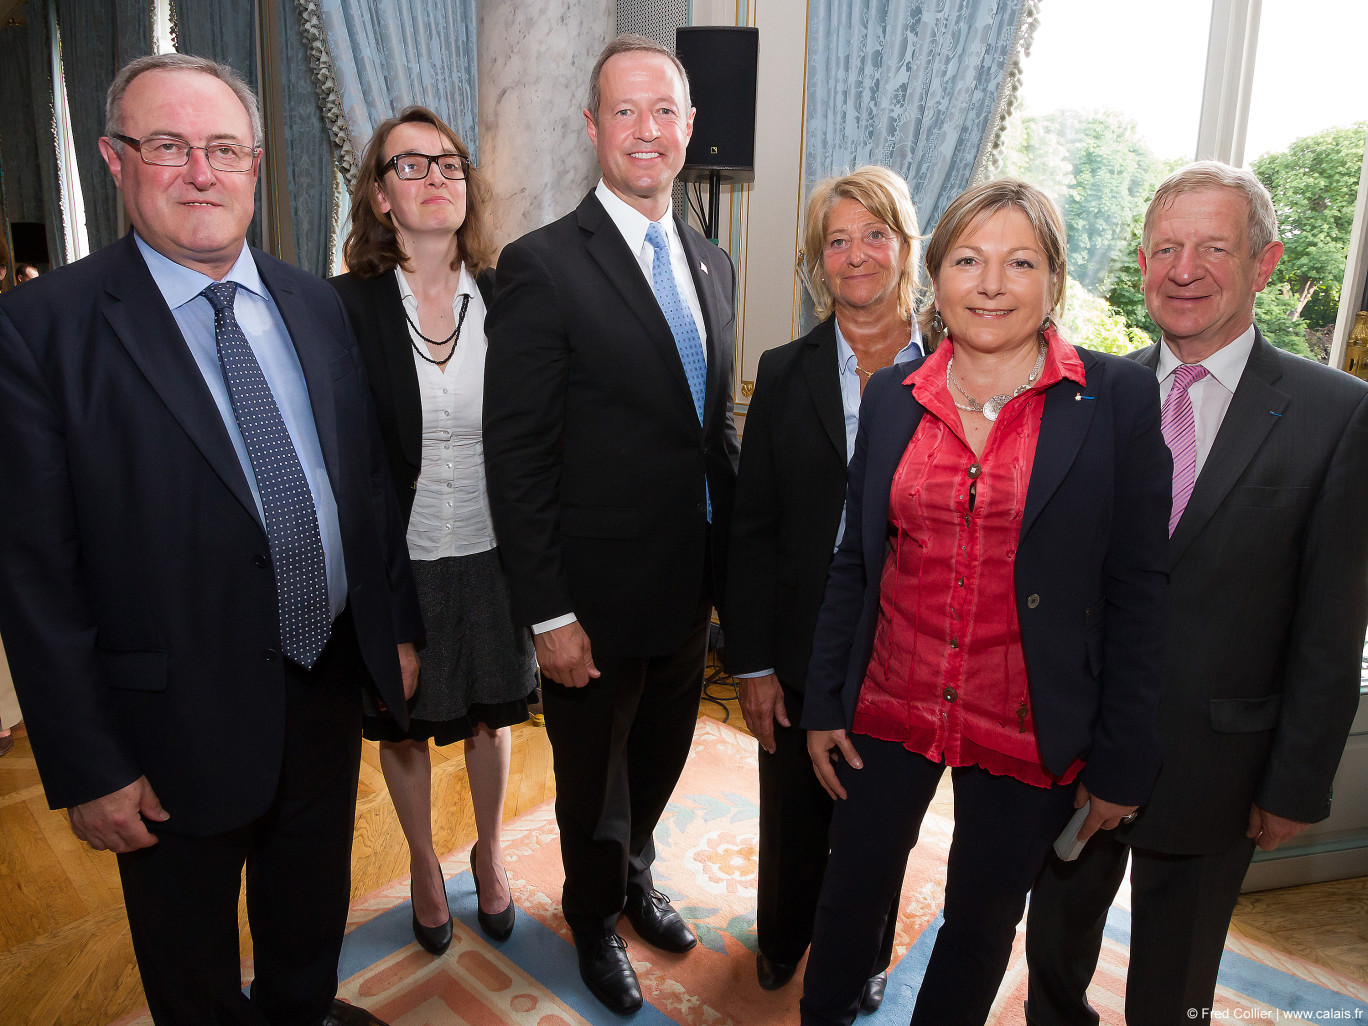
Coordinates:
(373, 248)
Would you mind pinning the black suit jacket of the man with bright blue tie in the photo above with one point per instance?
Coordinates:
(594, 453)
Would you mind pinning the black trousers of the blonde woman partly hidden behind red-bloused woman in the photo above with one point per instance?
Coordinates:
(795, 826)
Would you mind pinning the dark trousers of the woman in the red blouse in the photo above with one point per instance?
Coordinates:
(1003, 830)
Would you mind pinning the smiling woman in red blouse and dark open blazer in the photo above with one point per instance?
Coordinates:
(997, 607)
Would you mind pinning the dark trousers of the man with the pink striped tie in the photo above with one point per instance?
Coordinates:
(1180, 912)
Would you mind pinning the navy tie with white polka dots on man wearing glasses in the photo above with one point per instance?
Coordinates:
(292, 523)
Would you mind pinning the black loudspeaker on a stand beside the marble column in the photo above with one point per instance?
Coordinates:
(722, 73)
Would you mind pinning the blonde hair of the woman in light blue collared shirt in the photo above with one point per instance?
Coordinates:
(884, 195)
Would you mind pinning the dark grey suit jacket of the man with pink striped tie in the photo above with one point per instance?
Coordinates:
(1269, 601)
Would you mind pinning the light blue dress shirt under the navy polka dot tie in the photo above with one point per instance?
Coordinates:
(270, 341)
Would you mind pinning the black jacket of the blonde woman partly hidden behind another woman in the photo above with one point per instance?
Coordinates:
(790, 495)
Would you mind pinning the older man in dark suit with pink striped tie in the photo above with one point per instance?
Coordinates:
(1269, 604)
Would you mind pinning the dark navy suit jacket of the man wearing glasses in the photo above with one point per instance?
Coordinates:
(137, 601)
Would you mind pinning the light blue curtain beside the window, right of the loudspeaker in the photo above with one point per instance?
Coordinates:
(908, 84)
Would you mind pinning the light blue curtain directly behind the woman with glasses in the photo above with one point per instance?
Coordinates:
(384, 55)
